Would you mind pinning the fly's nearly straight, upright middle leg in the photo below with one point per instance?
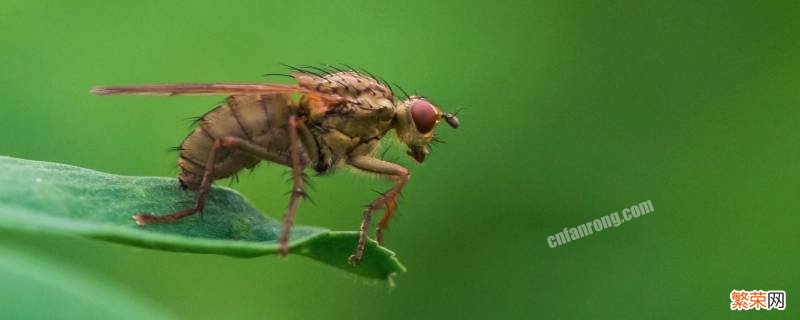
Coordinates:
(298, 190)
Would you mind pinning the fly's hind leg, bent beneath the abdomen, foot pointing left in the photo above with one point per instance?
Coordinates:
(228, 142)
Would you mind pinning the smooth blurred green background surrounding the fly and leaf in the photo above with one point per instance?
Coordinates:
(575, 109)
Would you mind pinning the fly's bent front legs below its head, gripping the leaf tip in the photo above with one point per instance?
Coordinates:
(400, 176)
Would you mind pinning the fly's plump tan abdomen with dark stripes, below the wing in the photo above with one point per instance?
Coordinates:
(260, 119)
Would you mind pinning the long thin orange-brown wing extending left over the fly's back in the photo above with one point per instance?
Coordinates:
(216, 89)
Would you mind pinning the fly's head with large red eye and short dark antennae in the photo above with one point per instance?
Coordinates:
(415, 119)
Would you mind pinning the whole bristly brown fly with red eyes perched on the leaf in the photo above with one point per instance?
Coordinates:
(330, 118)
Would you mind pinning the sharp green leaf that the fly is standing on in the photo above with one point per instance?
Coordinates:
(50, 197)
